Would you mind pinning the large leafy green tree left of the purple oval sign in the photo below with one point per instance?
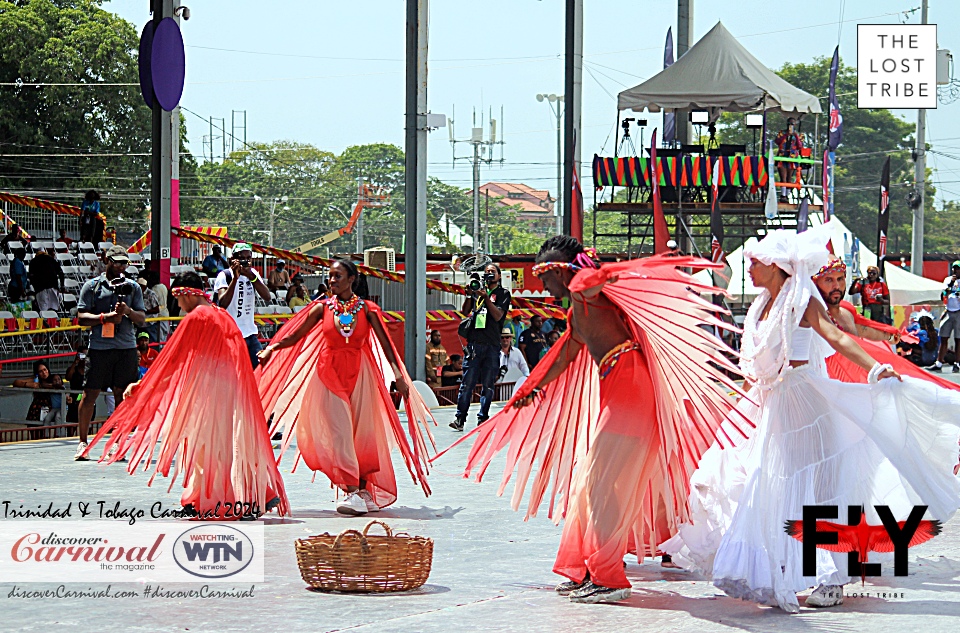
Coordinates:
(71, 43)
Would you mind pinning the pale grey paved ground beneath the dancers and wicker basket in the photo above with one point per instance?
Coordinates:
(491, 571)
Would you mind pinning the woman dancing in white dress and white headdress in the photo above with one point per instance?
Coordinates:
(817, 442)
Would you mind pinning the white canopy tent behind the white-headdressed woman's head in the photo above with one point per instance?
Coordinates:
(905, 287)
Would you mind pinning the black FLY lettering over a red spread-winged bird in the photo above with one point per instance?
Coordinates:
(858, 538)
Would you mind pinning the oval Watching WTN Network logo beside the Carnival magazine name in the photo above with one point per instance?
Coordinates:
(213, 551)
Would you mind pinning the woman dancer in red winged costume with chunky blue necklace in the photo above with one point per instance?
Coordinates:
(328, 385)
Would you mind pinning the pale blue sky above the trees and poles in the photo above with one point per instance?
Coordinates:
(331, 73)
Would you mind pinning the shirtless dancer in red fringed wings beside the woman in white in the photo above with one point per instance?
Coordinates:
(628, 400)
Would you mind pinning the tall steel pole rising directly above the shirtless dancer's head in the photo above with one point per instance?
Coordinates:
(573, 88)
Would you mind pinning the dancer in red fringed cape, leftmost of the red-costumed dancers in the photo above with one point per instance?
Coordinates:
(199, 400)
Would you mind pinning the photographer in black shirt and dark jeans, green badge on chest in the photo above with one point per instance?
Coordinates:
(487, 303)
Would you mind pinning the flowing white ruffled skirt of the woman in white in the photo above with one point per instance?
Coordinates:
(818, 442)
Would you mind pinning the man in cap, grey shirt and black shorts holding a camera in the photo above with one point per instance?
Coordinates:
(112, 306)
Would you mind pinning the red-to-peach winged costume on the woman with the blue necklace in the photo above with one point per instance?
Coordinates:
(332, 394)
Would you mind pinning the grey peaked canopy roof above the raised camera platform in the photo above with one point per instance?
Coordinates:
(719, 73)
